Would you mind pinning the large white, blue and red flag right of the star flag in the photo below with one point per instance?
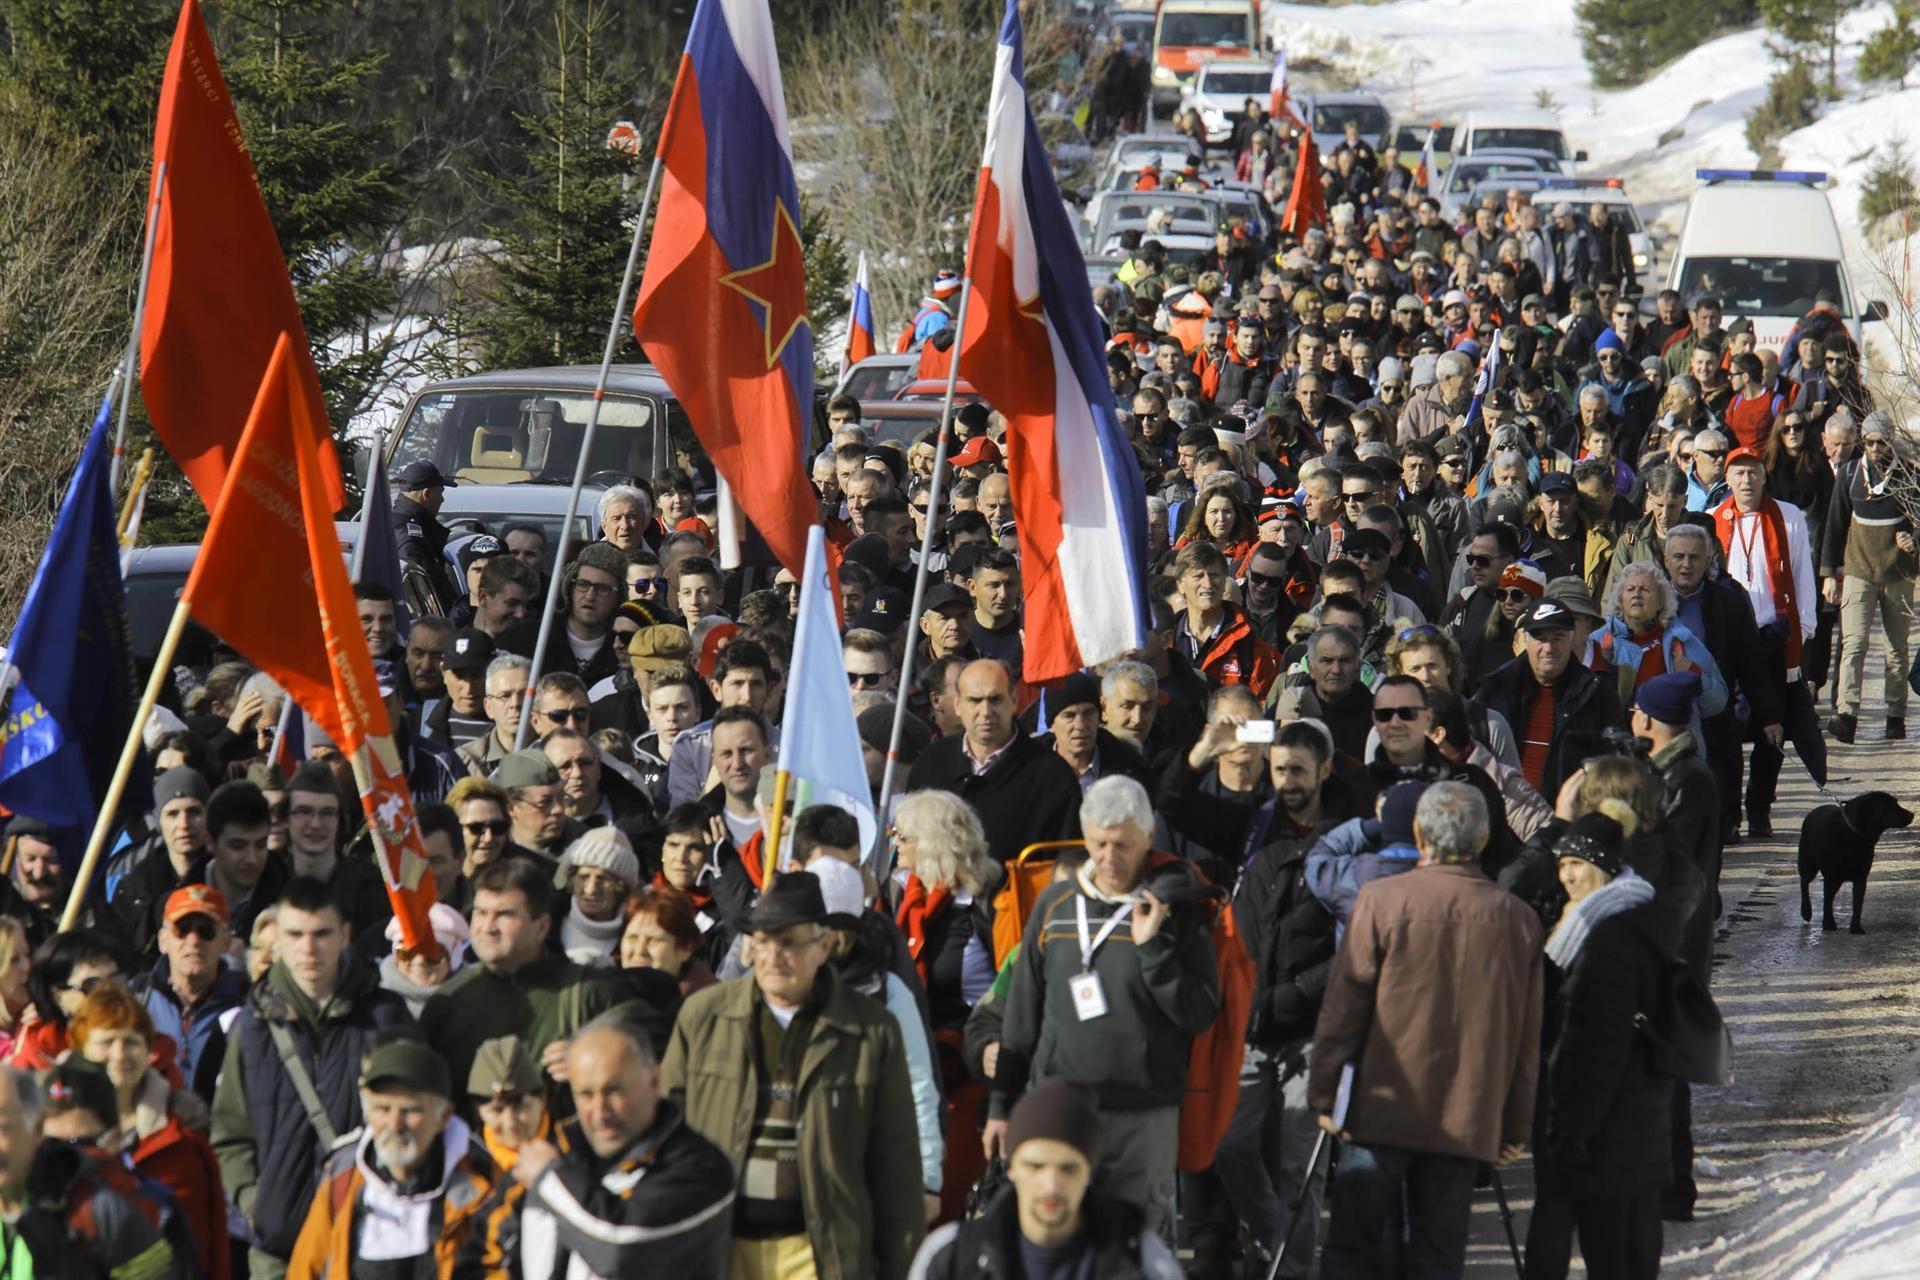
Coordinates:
(1032, 348)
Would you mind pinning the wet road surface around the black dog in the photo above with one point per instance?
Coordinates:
(1825, 1024)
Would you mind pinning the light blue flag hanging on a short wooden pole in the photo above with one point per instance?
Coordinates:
(819, 740)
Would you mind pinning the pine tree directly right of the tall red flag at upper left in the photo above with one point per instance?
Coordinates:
(327, 178)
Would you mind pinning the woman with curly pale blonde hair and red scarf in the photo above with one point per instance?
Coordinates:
(942, 899)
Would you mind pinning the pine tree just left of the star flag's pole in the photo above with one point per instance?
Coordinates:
(567, 237)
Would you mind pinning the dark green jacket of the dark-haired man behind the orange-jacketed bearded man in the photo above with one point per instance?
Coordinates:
(546, 1001)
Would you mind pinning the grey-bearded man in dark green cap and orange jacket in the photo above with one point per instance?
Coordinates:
(402, 1200)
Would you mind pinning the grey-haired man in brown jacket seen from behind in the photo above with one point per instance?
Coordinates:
(1435, 1005)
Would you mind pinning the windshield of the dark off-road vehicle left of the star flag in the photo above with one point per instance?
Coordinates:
(527, 437)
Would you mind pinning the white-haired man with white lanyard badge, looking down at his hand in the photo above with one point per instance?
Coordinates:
(1115, 980)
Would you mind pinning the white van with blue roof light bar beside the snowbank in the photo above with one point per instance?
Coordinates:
(1765, 245)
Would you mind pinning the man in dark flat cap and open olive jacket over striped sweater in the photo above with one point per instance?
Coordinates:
(804, 1083)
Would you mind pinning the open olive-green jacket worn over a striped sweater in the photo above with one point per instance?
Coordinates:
(859, 1141)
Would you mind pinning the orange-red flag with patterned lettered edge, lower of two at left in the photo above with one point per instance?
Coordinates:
(272, 581)
